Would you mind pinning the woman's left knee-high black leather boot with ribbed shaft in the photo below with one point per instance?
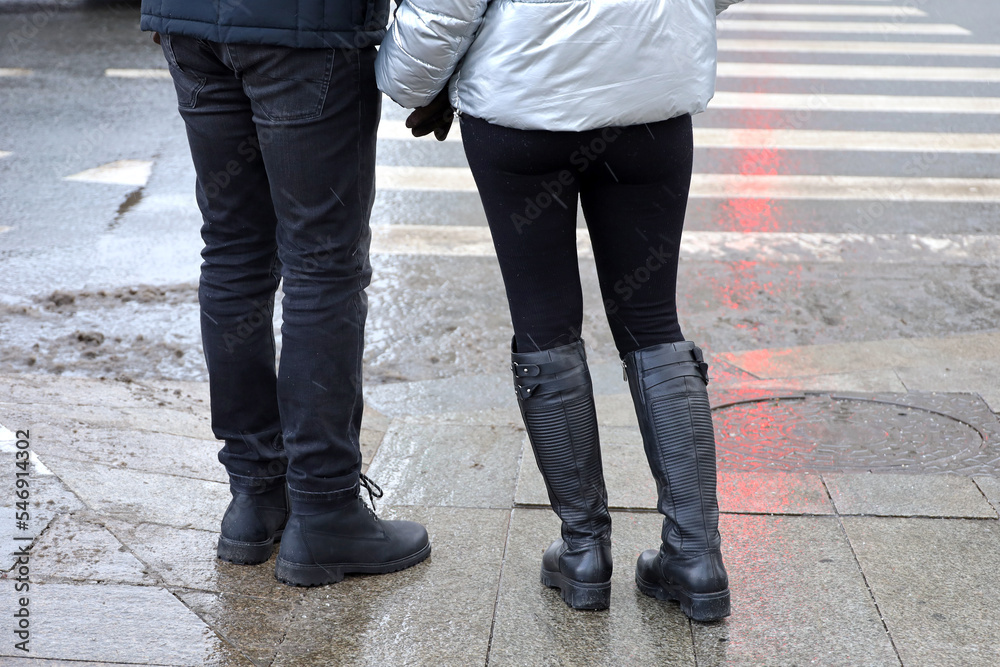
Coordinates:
(556, 397)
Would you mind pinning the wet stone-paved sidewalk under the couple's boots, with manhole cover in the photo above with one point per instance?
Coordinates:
(858, 487)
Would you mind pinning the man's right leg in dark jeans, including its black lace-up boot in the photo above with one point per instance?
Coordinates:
(316, 113)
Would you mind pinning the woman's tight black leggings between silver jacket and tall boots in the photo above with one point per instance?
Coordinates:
(633, 185)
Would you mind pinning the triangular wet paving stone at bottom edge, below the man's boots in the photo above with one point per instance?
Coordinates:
(254, 625)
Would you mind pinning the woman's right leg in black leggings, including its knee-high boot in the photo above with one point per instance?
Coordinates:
(635, 213)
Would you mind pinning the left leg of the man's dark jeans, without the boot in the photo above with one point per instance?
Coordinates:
(239, 272)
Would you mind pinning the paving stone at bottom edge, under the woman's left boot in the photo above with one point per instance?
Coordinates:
(534, 626)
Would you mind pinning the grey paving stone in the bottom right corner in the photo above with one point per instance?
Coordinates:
(935, 582)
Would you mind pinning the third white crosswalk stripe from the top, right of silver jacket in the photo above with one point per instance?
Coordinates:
(832, 46)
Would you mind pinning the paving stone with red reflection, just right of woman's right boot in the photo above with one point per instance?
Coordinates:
(798, 598)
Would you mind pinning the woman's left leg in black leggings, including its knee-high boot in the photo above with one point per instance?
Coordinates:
(529, 194)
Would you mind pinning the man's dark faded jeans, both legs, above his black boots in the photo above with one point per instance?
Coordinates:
(283, 142)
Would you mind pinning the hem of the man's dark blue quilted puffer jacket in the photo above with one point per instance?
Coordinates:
(308, 24)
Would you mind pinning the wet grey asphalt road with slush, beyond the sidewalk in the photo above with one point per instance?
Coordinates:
(99, 279)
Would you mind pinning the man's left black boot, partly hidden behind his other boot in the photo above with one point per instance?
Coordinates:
(254, 520)
